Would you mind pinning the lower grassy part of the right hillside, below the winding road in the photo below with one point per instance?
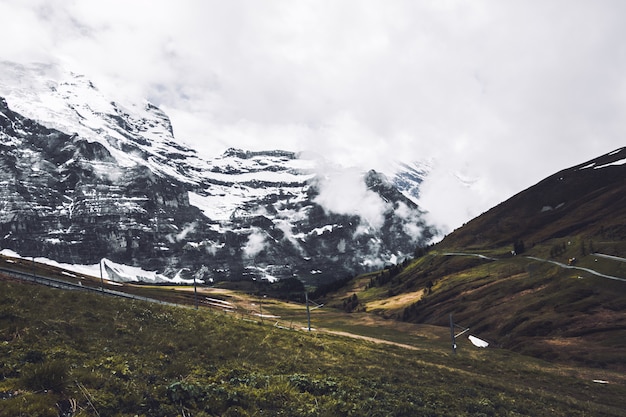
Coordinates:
(533, 307)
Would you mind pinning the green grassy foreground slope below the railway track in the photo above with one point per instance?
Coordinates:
(112, 357)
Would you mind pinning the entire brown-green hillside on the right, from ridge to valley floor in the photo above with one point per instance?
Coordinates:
(545, 299)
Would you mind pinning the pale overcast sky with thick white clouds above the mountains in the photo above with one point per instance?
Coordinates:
(497, 93)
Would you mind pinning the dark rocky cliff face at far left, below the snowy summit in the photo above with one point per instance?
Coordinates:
(67, 198)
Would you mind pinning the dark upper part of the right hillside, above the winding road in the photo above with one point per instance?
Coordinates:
(588, 199)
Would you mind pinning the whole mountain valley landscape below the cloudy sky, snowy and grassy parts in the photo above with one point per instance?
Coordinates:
(274, 282)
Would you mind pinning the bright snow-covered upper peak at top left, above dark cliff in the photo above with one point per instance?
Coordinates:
(135, 134)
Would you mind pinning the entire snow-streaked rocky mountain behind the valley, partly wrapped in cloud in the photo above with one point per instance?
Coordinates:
(84, 178)
